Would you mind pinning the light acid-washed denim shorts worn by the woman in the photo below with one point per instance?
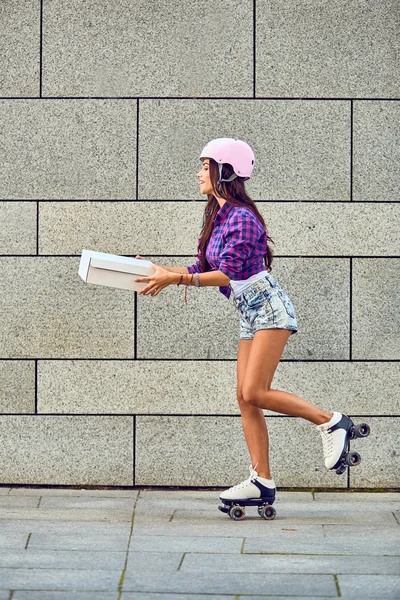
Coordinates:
(264, 305)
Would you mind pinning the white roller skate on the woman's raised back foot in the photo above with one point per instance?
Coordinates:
(336, 435)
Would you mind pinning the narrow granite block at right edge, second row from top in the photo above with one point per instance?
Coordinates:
(376, 153)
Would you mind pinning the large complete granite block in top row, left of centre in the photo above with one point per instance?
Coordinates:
(142, 49)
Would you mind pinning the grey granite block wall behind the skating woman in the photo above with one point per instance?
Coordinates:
(104, 109)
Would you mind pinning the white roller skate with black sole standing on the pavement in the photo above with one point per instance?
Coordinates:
(255, 491)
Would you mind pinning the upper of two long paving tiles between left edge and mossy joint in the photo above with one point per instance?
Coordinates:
(33, 558)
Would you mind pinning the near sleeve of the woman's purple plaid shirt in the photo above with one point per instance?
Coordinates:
(239, 244)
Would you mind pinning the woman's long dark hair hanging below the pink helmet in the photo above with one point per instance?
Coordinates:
(235, 193)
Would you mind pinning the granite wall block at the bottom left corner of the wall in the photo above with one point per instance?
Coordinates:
(67, 450)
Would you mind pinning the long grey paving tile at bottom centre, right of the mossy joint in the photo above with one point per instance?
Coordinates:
(236, 583)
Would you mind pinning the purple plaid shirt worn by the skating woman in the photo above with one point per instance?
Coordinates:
(236, 246)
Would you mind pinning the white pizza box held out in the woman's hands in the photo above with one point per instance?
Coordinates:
(113, 270)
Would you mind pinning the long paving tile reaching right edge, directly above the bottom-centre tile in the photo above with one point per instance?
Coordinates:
(248, 563)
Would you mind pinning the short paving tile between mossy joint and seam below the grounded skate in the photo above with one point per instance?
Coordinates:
(152, 543)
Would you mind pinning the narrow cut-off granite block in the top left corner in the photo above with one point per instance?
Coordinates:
(19, 49)
